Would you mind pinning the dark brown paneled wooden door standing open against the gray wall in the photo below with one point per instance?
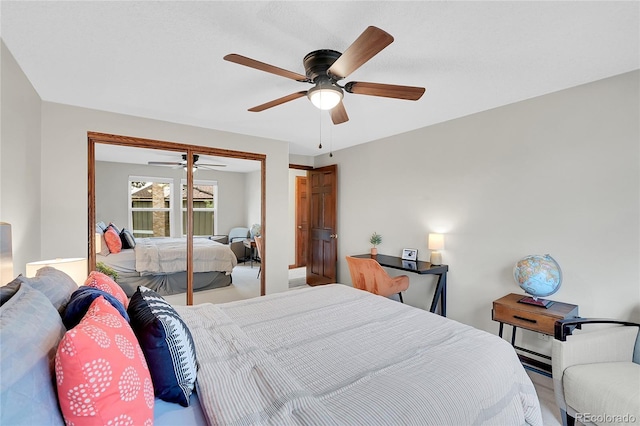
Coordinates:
(323, 208)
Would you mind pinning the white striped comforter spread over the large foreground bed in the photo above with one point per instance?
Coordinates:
(336, 355)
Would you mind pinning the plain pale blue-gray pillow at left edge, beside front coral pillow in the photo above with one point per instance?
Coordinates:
(30, 330)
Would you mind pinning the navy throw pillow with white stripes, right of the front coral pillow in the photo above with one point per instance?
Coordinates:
(167, 345)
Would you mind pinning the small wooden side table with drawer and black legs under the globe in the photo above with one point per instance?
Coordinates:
(508, 310)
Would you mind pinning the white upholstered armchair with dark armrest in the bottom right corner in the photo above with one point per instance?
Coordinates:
(596, 374)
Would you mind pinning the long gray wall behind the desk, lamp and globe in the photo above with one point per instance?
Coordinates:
(556, 174)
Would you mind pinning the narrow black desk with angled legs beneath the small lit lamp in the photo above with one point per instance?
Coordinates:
(422, 268)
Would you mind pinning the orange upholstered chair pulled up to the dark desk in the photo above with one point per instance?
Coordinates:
(367, 274)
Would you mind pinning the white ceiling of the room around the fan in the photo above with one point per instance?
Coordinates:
(163, 60)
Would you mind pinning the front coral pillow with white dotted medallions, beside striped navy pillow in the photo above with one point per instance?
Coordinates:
(101, 373)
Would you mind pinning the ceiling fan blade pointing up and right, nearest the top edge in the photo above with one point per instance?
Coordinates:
(370, 42)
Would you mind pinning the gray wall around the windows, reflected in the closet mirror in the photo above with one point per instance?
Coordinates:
(112, 183)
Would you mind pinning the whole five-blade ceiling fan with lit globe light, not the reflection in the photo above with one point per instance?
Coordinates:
(325, 68)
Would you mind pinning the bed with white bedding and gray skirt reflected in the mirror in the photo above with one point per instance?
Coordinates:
(160, 264)
